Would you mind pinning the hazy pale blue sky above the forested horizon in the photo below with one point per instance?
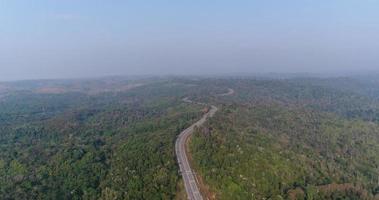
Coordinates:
(92, 38)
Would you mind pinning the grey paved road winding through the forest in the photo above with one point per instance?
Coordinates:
(189, 177)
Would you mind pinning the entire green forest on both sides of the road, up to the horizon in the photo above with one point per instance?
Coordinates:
(113, 138)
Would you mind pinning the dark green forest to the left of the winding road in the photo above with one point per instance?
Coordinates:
(75, 145)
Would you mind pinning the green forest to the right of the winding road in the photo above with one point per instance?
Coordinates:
(291, 139)
